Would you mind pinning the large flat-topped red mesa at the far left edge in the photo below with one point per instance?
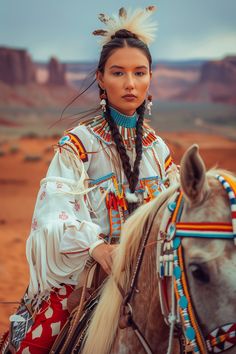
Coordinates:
(16, 66)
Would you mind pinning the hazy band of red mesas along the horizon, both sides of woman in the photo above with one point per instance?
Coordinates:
(213, 81)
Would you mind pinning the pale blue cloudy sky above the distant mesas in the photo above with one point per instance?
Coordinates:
(188, 29)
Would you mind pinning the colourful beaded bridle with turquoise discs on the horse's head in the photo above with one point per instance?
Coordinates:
(171, 264)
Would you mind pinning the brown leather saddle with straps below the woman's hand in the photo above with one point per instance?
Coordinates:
(81, 305)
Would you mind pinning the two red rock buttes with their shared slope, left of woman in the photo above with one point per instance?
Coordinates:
(20, 85)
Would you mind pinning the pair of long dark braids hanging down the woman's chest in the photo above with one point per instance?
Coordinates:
(132, 176)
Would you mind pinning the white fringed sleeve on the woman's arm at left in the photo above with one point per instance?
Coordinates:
(62, 230)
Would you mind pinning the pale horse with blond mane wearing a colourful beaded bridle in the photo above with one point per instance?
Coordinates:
(199, 273)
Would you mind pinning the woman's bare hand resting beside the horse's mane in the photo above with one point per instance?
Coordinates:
(103, 254)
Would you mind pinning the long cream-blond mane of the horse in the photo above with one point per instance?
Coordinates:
(104, 324)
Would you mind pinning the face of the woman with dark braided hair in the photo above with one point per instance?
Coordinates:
(126, 79)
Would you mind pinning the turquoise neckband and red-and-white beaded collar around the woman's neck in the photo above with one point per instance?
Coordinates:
(127, 128)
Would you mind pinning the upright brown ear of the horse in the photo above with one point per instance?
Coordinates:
(193, 175)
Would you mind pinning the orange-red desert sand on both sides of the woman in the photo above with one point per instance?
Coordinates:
(23, 162)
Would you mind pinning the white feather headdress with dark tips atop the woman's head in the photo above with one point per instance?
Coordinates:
(137, 22)
